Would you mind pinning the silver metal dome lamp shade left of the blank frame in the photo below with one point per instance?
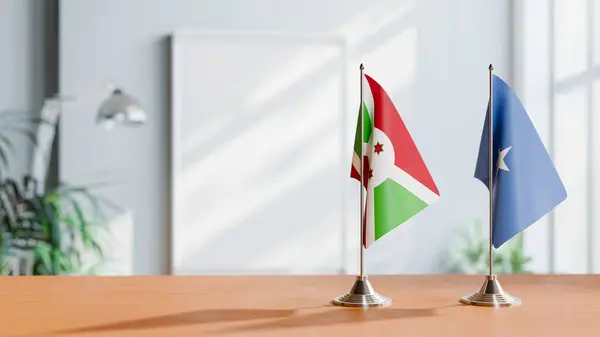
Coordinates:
(120, 108)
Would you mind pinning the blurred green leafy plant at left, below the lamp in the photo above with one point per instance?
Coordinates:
(60, 231)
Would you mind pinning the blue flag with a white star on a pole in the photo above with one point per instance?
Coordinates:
(526, 185)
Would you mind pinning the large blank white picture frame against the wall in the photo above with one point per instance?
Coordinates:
(303, 256)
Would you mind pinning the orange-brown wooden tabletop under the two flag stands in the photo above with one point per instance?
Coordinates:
(166, 306)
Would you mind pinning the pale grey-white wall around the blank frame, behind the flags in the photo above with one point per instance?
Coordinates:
(431, 56)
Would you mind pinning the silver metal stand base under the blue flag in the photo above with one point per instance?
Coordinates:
(491, 294)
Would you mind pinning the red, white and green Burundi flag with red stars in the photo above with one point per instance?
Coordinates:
(397, 181)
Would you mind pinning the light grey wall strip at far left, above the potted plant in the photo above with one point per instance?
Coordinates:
(24, 67)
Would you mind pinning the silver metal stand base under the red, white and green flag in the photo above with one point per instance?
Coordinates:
(362, 295)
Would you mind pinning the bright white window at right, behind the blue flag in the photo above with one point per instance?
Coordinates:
(557, 72)
